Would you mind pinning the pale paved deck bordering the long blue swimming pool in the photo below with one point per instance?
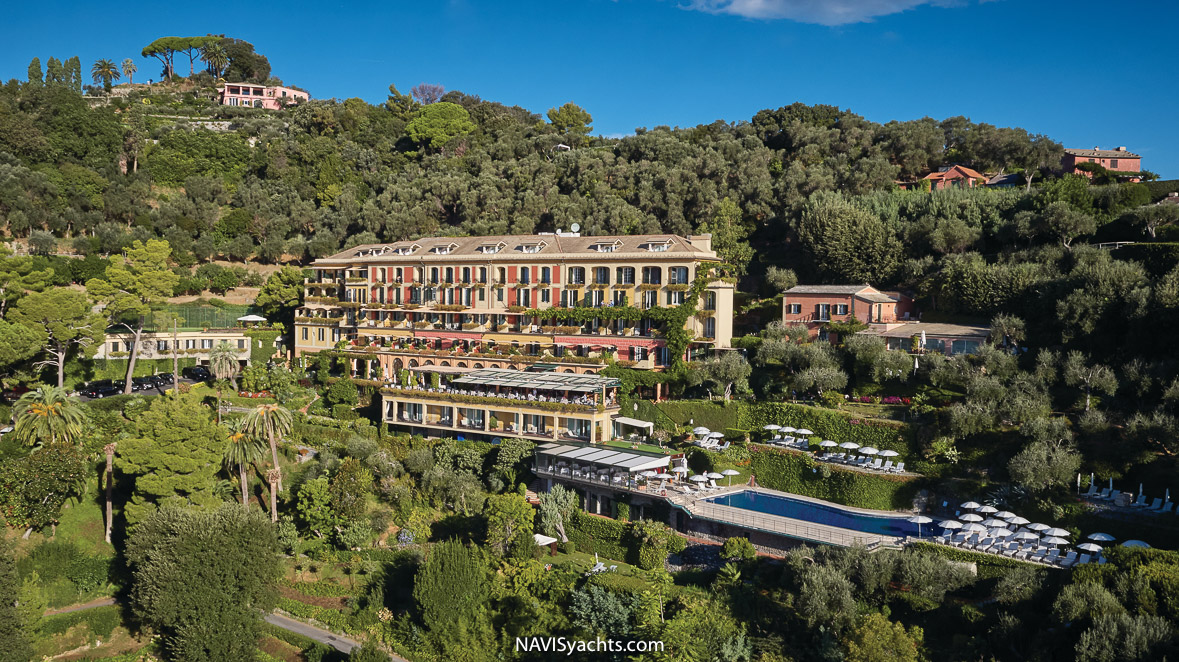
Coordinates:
(699, 507)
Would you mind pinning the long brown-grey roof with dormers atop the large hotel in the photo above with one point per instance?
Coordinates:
(509, 246)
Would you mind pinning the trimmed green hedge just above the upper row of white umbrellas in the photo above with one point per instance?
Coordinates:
(831, 424)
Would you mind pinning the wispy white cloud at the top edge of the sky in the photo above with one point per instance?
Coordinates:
(824, 12)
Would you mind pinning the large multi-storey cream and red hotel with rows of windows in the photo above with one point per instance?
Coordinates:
(450, 306)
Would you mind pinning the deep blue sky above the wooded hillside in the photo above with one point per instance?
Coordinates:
(1084, 73)
